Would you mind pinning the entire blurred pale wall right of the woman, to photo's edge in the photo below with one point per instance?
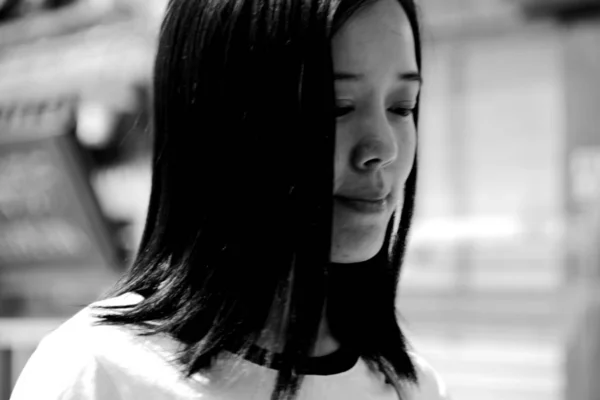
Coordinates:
(500, 286)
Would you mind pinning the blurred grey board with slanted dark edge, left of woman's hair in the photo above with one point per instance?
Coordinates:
(48, 212)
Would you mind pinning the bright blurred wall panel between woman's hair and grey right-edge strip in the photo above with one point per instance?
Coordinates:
(484, 276)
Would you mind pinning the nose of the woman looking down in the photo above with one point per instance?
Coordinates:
(376, 147)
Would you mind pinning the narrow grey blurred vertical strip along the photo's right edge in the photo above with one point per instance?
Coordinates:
(581, 60)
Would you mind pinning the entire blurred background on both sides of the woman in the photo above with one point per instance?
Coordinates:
(500, 286)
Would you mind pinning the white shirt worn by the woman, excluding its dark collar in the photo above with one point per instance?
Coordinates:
(83, 361)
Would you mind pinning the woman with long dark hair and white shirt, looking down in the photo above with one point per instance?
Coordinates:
(283, 185)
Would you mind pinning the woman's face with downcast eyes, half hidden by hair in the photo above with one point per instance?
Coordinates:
(376, 86)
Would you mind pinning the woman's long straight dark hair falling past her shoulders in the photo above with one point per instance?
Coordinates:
(241, 205)
